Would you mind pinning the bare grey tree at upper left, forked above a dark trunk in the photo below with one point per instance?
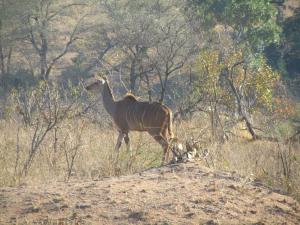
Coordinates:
(41, 22)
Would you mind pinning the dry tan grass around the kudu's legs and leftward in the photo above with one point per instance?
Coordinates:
(91, 146)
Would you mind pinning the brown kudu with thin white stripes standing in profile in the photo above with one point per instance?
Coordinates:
(129, 114)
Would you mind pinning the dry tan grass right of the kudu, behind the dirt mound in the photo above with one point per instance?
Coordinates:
(277, 165)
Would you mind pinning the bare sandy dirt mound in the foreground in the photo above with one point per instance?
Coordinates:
(176, 194)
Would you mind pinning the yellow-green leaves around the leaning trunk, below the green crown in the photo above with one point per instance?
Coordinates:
(254, 81)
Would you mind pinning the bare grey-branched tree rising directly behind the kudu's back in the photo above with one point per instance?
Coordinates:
(152, 41)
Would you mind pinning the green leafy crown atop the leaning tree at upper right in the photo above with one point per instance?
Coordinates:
(253, 22)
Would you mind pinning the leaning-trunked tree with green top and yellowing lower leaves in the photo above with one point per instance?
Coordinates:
(239, 31)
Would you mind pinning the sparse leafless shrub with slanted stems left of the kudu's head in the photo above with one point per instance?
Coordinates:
(42, 109)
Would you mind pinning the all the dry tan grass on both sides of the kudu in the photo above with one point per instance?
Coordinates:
(91, 147)
